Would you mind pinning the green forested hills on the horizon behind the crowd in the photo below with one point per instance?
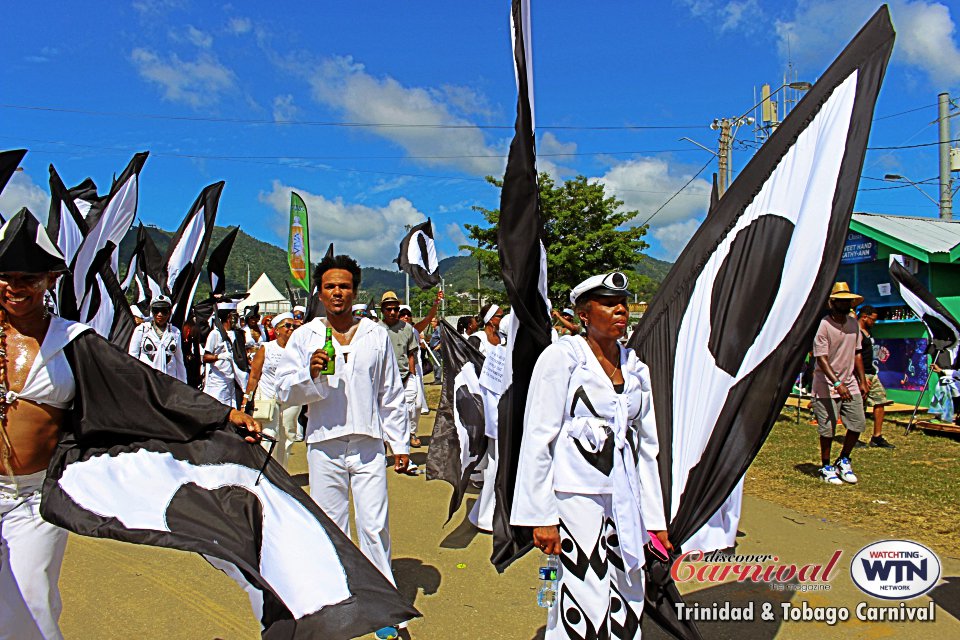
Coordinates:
(459, 272)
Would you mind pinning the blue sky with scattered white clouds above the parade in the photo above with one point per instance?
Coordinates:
(272, 99)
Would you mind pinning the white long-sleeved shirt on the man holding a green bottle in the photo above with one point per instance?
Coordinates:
(365, 394)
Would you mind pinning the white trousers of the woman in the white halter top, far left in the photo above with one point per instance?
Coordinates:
(31, 552)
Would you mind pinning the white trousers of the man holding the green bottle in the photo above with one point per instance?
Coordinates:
(354, 464)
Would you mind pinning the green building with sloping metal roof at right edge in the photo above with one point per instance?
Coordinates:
(931, 248)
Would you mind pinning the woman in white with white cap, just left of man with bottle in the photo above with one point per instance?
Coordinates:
(262, 388)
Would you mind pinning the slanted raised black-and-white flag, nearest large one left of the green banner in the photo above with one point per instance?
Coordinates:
(188, 249)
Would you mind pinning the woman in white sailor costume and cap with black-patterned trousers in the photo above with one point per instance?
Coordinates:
(587, 480)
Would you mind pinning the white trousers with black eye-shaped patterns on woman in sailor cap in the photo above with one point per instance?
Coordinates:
(594, 599)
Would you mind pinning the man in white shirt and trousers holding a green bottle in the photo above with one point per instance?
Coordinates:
(351, 413)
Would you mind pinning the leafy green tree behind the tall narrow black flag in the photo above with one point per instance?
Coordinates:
(584, 234)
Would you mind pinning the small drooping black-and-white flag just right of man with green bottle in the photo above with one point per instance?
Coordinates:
(459, 442)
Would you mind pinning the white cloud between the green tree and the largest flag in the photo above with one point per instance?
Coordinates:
(644, 184)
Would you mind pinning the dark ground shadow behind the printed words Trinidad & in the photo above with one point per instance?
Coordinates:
(738, 594)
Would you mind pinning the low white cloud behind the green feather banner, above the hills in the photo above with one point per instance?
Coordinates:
(368, 233)
